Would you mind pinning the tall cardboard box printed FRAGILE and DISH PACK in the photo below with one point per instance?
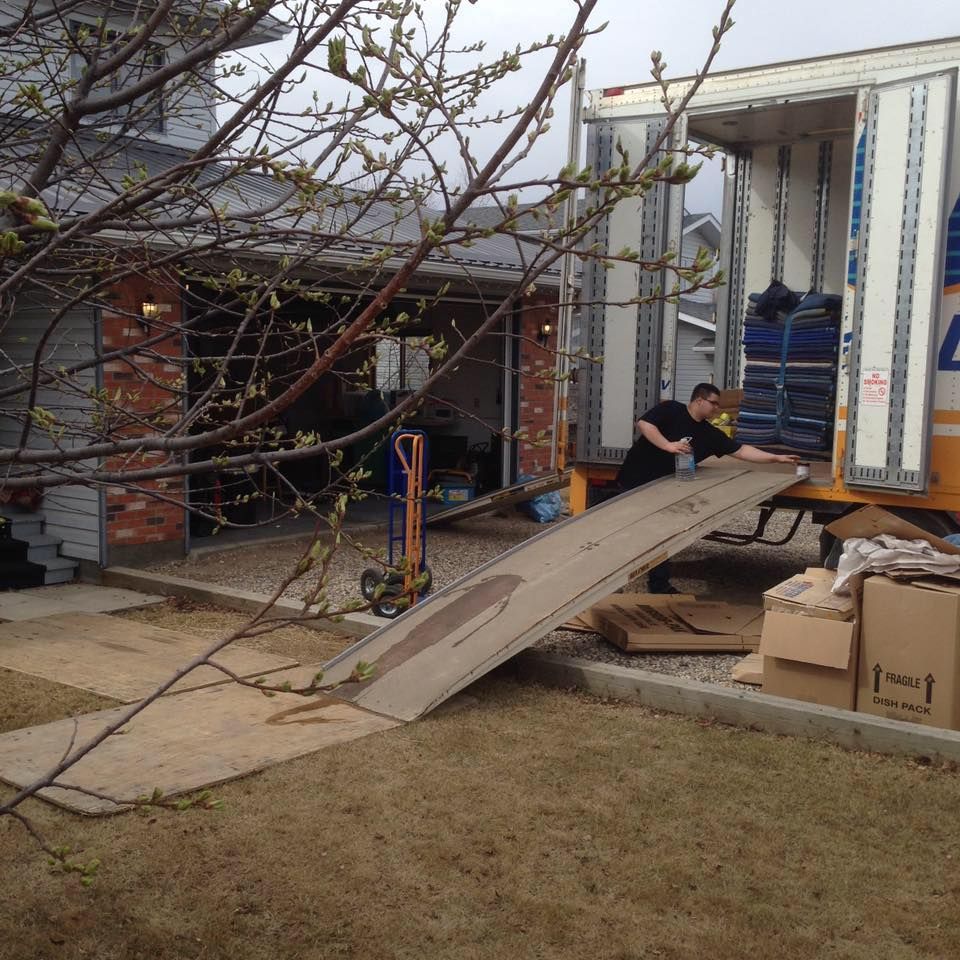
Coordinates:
(910, 656)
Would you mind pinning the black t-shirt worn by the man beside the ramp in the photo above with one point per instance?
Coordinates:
(645, 462)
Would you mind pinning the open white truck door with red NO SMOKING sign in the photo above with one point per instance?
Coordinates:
(899, 249)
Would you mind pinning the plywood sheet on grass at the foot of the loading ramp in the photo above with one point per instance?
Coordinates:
(181, 744)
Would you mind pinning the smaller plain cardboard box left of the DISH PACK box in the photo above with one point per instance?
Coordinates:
(810, 658)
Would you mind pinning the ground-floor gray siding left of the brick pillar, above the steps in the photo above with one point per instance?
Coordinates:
(72, 512)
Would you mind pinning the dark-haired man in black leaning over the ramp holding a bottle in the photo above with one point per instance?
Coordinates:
(663, 434)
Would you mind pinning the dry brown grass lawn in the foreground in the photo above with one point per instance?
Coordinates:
(528, 824)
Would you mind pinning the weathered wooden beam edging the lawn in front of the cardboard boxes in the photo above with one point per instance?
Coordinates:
(742, 708)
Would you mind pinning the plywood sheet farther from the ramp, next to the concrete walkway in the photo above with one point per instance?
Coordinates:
(117, 658)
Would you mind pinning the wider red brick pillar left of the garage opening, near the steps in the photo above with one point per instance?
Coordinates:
(135, 519)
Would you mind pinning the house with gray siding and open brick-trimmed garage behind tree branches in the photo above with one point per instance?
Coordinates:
(96, 524)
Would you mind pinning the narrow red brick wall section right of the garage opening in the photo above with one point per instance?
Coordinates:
(537, 386)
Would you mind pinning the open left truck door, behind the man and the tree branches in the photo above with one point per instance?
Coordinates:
(636, 340)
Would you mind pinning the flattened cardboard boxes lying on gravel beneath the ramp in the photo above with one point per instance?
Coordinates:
(655, 624)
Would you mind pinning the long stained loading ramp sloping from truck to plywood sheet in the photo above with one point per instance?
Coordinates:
(458, 634)
